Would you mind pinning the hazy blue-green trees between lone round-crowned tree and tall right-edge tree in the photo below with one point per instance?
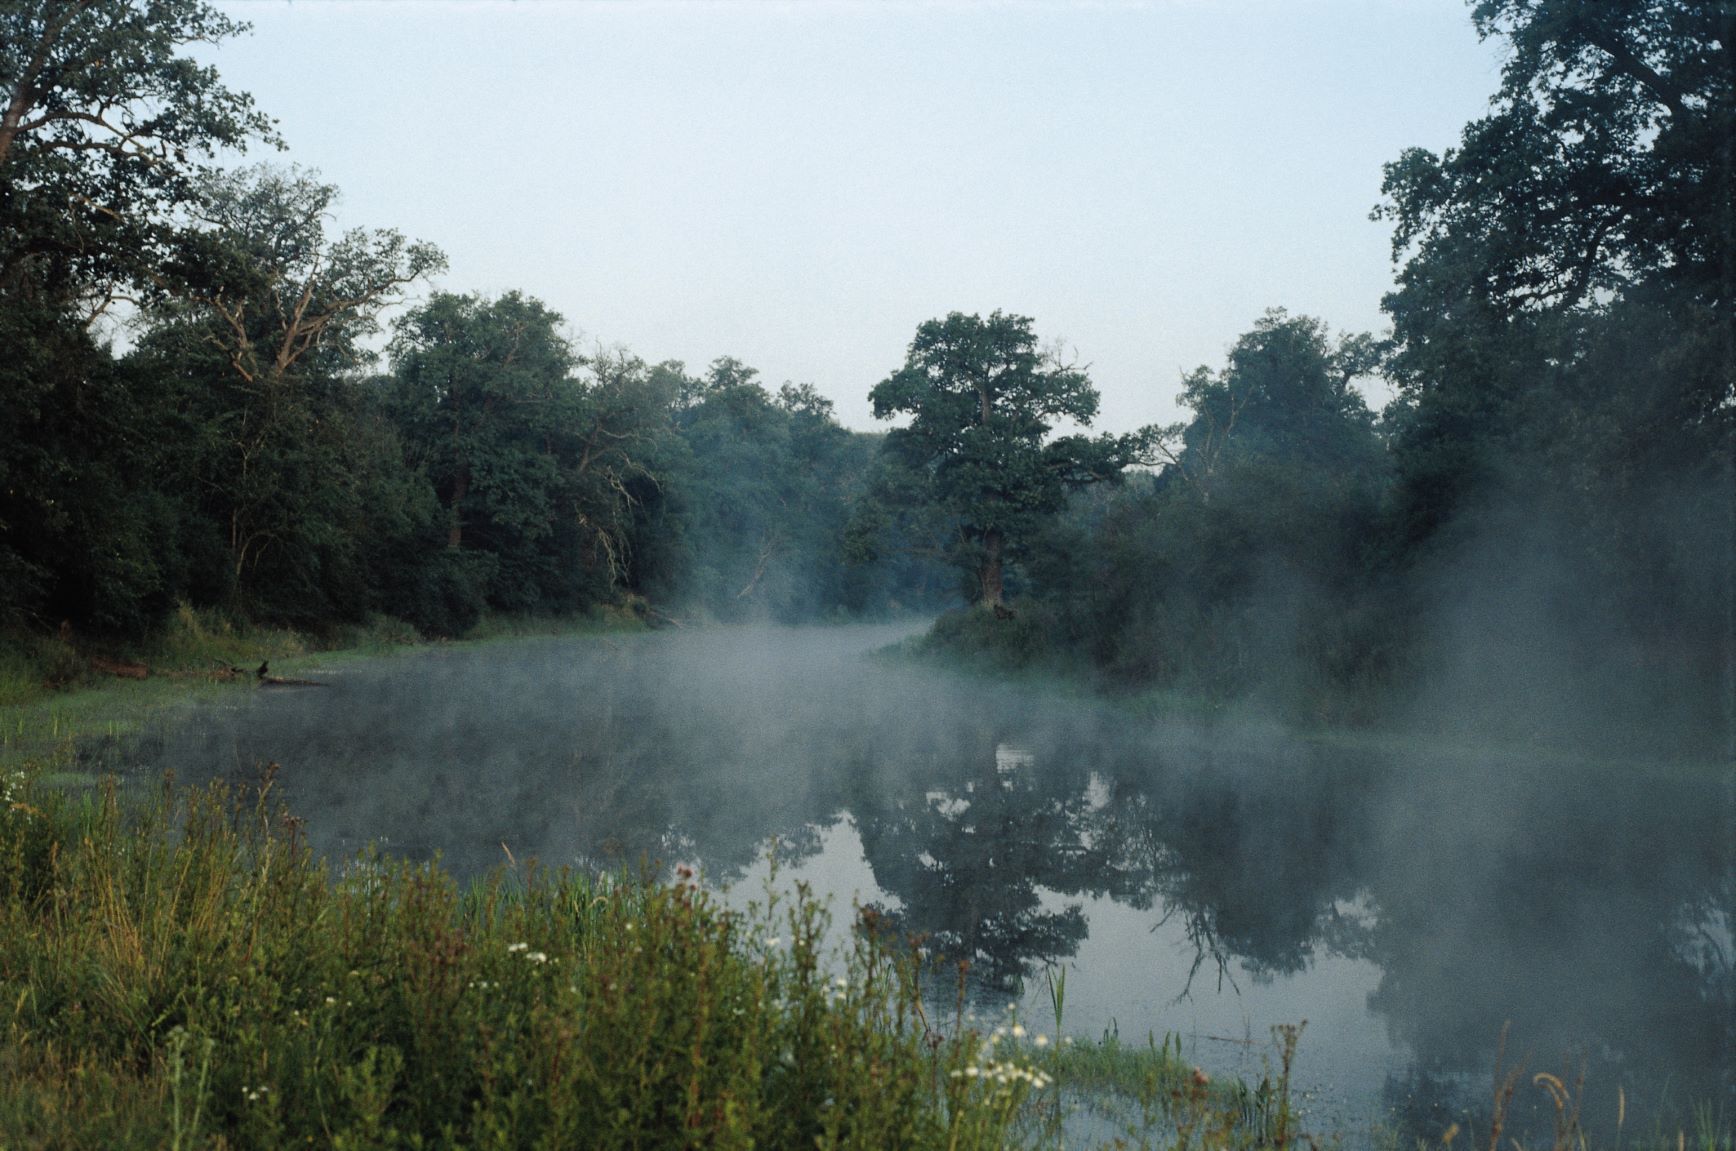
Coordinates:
(1249, 563)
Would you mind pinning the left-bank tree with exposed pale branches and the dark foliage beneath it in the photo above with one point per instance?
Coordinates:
(289, 468)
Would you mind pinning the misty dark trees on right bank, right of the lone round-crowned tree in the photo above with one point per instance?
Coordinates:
(1537, 536)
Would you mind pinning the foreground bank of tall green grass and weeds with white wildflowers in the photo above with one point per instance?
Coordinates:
(178, 971)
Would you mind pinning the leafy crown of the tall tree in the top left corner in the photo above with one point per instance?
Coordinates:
(107, 129)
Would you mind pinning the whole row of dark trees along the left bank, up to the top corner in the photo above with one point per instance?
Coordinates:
(247, 452)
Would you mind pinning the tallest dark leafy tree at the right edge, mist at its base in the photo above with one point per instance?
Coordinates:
(1565, 332)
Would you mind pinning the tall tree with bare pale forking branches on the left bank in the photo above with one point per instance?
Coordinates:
(266, 315)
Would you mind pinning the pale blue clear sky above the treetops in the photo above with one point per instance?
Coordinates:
(801, 185)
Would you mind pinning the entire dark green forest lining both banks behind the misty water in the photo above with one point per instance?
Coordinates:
(1537, 530)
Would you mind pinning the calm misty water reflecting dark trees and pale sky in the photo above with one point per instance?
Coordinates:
(1407, 905)
